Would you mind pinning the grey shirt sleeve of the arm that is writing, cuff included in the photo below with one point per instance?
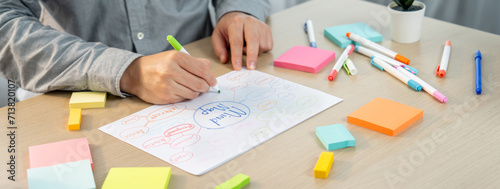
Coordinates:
(41, 59)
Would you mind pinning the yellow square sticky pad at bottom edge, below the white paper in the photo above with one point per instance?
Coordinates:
(137, 177)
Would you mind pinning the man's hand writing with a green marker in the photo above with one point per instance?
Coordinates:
(167, 77)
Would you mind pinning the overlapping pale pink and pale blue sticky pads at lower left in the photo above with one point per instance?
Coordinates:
(64, 164)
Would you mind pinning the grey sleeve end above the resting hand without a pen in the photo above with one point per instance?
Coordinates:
(258, 8)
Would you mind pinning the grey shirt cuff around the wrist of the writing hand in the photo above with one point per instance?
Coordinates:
(108, 69)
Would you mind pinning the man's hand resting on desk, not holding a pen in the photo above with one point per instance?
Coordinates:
(235, 29)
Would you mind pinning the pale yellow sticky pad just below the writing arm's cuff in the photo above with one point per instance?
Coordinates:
(87, 100)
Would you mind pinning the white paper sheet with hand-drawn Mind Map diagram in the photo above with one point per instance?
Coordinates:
(201, 134)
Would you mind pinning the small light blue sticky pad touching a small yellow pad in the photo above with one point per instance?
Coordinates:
(335, 136)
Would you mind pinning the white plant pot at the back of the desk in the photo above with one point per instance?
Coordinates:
(406, 23)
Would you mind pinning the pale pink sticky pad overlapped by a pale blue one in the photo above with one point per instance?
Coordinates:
(60, 152)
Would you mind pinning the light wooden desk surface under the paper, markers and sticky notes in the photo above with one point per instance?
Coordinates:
(455, 145)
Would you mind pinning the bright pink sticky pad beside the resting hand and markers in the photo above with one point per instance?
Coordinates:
(307, 59)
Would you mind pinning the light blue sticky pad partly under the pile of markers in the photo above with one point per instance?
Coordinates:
(337, 33)
